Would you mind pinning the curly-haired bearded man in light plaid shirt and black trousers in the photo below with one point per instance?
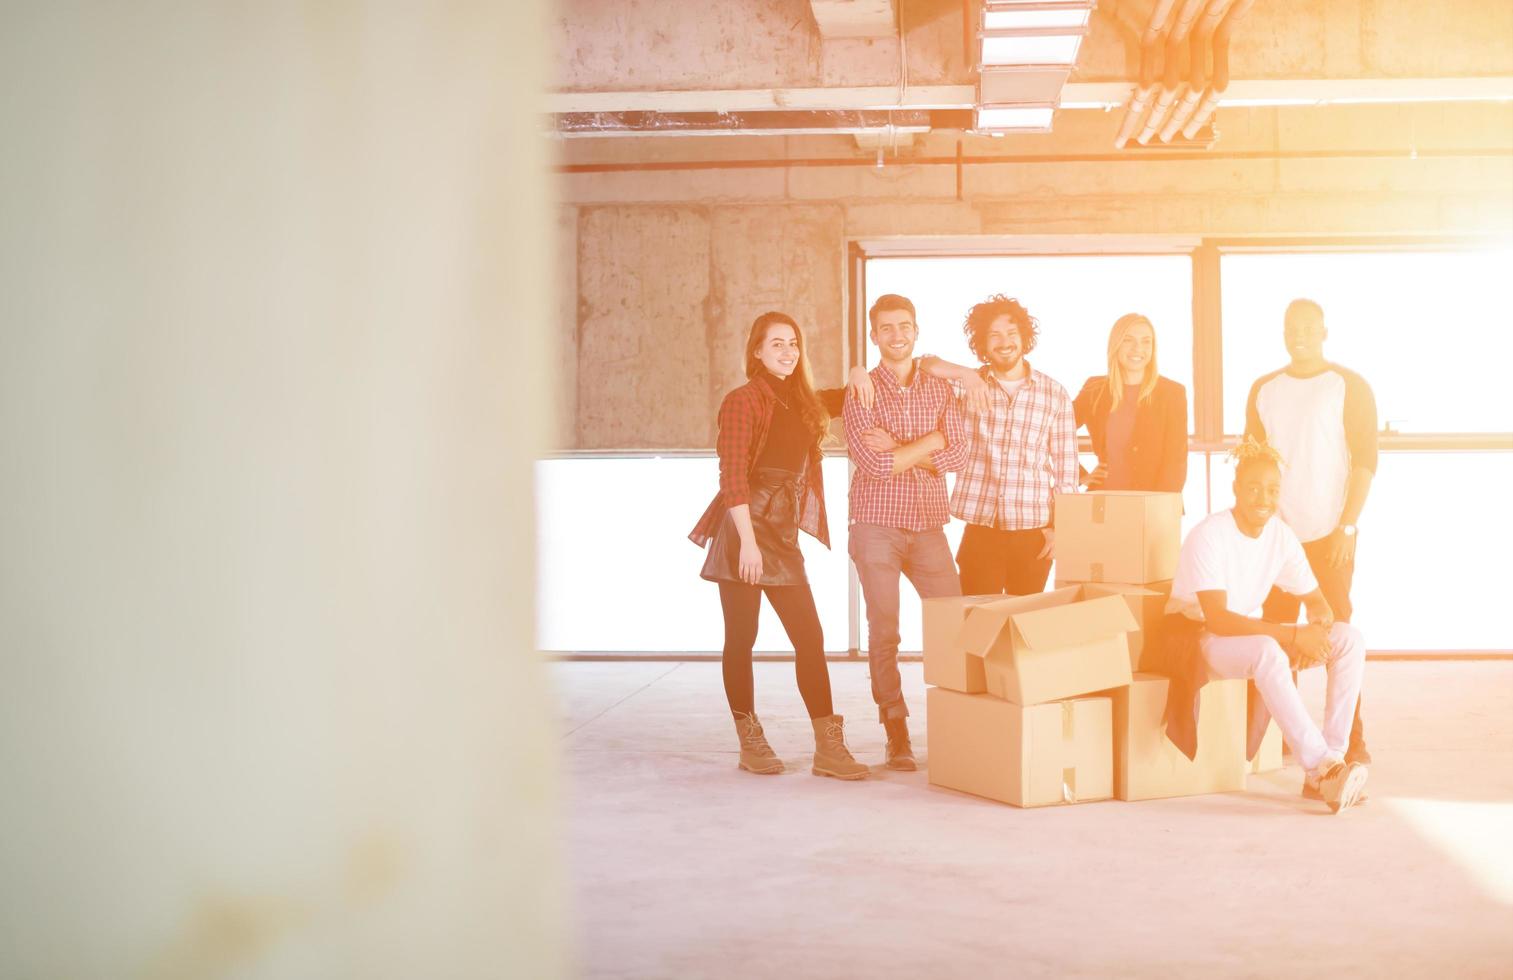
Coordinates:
(1024, 450)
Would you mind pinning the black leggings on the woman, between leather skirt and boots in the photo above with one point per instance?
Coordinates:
(795, 607)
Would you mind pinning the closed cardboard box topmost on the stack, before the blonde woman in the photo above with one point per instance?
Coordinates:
(1117, 536)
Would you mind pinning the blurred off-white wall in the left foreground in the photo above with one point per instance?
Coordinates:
(269, 704)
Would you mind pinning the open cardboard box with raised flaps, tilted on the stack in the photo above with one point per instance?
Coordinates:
(1049, 647)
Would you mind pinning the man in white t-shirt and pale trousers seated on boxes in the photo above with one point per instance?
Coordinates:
(1229, 565)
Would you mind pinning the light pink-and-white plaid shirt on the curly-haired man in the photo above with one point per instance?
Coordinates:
(1019, 456)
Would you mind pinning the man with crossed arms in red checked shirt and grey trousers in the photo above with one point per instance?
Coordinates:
(901, 445)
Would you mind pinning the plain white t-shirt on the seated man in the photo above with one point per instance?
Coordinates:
(1217, 557)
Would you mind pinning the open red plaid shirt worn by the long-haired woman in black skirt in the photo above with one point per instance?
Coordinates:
(745, 420)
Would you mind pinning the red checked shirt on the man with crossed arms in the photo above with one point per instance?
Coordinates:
(916, 498)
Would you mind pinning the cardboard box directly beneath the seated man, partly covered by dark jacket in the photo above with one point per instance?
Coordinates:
(1149, 768)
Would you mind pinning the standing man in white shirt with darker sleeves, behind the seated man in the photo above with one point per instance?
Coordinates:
(1323, 420)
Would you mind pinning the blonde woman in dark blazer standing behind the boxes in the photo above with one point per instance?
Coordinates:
(1137, 420)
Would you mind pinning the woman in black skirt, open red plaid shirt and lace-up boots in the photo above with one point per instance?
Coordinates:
(771, 489)
